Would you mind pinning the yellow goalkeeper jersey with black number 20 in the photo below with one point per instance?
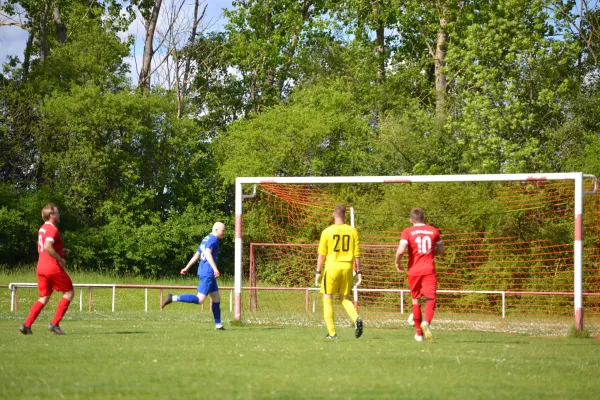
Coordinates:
(340, 245)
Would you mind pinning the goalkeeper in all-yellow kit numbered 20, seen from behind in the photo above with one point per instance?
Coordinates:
(339, 251)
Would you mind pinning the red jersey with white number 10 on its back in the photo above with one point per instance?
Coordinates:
(421, 241)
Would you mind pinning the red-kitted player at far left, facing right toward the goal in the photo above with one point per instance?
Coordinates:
(51, 272)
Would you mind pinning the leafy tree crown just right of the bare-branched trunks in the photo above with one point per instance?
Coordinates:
(256, 54)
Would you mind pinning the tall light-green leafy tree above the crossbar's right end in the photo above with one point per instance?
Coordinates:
(513, 89)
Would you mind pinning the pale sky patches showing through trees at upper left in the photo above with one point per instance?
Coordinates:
(13, 39)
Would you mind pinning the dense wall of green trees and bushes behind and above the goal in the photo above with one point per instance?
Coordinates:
(318, 87)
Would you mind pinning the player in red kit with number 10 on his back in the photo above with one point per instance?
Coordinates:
(423, 242)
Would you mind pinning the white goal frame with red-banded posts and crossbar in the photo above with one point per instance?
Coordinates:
(576, 177)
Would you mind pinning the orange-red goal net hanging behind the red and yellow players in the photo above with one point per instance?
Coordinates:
(511, 248)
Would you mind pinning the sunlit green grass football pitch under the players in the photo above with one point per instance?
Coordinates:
(178, 354)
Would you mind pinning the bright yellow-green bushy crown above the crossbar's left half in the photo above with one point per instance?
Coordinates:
(321, 132)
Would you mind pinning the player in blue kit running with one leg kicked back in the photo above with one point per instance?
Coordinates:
(207, 253)
